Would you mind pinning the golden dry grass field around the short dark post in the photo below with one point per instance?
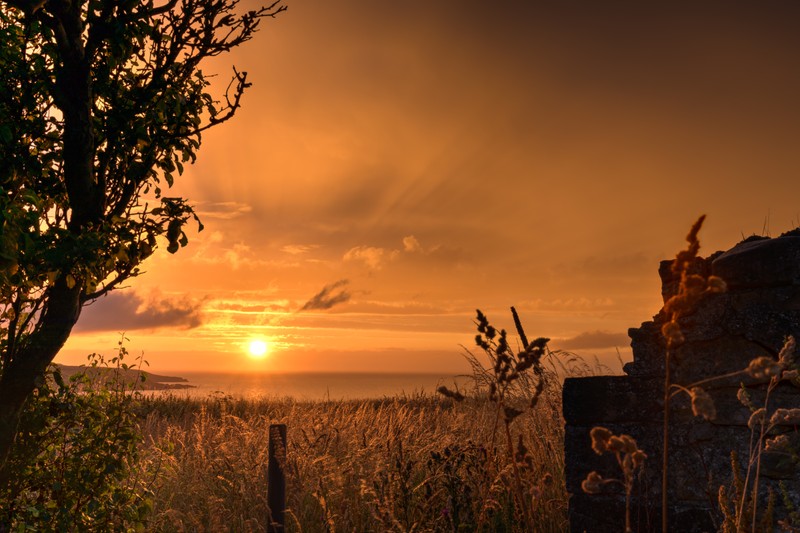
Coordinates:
(416, 463)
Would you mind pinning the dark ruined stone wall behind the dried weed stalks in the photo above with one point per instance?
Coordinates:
(723, 334)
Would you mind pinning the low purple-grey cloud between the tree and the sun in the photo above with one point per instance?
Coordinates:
(128, 311)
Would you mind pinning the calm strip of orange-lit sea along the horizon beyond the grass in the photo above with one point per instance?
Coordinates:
(313, 386)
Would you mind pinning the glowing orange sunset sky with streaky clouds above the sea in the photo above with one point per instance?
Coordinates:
(397, 165)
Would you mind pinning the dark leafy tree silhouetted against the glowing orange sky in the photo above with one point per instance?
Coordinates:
(102, 102)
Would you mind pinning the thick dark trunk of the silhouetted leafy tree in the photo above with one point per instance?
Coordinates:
(73, 95)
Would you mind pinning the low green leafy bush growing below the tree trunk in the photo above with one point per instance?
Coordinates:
(77, 460)
